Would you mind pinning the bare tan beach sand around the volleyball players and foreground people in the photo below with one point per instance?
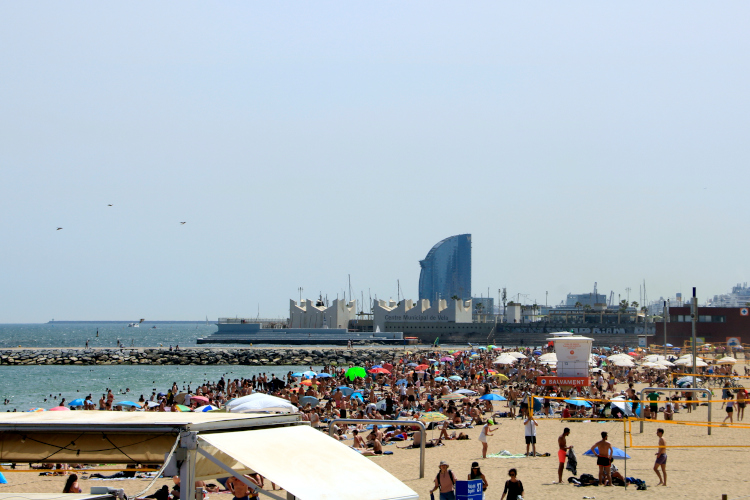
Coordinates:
(703, 473)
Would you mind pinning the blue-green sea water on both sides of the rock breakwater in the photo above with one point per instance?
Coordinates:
(26, 387)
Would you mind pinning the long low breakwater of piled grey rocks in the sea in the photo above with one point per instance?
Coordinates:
(201, 356)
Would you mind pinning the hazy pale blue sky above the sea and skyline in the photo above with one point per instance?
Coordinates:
(306, 144)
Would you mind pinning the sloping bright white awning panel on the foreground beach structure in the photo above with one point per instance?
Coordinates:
(305, 462)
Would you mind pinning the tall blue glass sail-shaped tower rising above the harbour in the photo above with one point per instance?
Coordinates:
(446, 271)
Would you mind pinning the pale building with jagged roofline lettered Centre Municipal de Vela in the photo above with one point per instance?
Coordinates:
(407, 311)
